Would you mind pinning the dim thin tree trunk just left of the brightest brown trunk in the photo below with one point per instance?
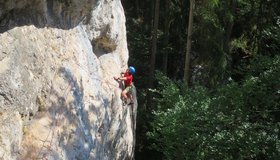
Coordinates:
(166, 35)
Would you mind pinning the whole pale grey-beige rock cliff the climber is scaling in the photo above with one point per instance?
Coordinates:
(58, 99)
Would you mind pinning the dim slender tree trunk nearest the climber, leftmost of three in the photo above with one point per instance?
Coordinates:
(154, 45)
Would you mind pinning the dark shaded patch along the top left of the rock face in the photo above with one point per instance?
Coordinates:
(63, 14)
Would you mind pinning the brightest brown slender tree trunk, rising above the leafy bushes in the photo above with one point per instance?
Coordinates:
(189, 39)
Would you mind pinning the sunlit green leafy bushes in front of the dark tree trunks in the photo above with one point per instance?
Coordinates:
(236, 121)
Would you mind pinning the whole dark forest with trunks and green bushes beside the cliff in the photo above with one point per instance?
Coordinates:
(208, 78)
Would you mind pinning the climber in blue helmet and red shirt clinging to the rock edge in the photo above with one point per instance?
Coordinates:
(127, 77)
